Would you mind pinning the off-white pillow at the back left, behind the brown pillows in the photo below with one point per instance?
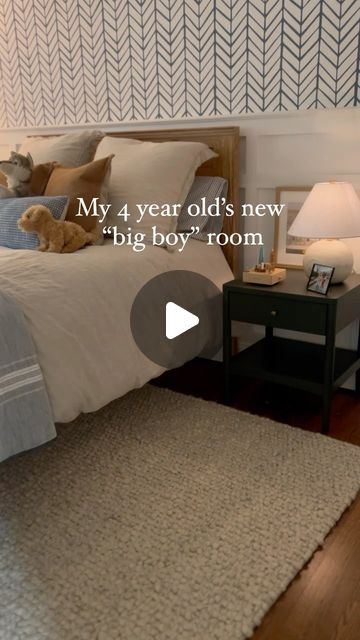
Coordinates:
(70, 150)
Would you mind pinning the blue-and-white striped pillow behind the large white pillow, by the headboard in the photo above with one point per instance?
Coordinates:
(209, 188)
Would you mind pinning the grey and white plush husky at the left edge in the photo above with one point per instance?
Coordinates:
(18, 171)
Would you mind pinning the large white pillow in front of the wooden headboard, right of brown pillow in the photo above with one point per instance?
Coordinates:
(150, 173)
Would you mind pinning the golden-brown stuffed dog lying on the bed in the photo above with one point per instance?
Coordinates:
(58, 236)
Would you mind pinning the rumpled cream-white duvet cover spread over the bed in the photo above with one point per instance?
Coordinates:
(78, 310)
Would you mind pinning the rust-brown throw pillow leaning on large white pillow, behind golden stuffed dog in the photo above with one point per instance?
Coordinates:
(87, 182)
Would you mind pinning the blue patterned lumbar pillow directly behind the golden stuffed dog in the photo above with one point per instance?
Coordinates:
(11, 210)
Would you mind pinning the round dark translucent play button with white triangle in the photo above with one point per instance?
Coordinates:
(177, 316)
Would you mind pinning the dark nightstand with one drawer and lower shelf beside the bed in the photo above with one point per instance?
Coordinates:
(318, 368)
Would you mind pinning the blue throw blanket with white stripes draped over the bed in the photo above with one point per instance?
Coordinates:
(25, 413)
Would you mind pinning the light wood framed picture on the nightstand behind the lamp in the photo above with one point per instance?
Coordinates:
(288, 249)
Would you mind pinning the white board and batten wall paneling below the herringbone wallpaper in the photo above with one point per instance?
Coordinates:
(294, 148)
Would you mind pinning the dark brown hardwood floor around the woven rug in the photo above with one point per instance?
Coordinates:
(323, 601)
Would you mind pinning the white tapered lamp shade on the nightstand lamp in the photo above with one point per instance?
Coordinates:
(331, 210)
